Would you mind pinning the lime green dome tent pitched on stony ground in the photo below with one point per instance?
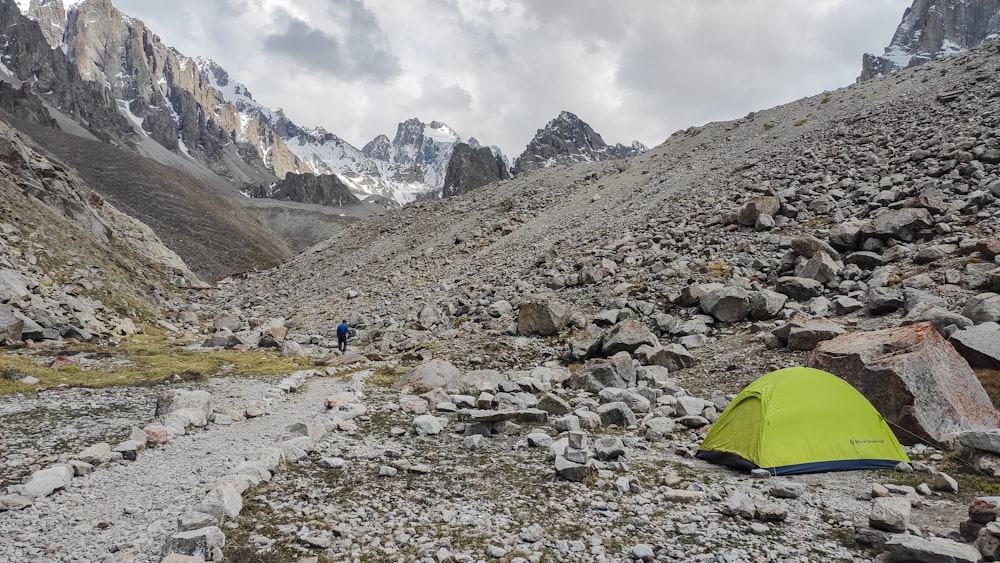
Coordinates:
(801, 420)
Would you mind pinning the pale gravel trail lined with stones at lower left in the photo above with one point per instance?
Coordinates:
(124, 511)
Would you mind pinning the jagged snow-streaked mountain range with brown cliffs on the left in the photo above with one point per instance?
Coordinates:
(191, 106)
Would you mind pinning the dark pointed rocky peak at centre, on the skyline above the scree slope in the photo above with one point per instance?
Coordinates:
(567, 139)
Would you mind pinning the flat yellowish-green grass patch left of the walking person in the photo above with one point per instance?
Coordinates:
(143, 359)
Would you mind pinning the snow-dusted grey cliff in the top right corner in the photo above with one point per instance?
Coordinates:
(931, 29)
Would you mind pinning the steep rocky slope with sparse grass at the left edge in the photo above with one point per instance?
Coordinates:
(71, 264)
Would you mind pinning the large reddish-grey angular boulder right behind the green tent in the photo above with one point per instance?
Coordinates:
(914, 378)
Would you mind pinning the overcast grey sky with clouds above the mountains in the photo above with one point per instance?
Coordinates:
(500, 69)
